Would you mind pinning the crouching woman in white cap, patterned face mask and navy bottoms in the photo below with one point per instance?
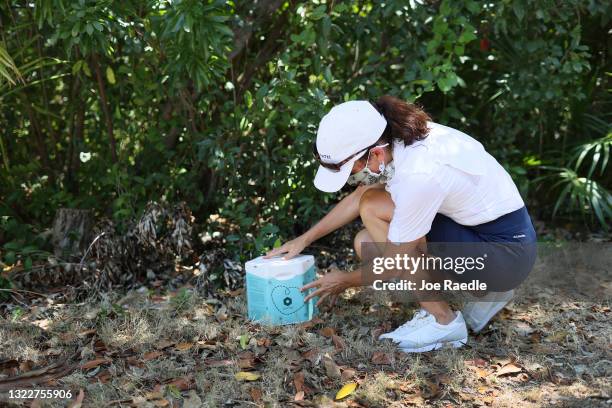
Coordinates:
(420, 188)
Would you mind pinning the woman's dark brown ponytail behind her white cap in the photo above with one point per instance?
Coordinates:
(406, 122)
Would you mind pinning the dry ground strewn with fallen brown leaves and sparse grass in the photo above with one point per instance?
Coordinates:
(154, 348)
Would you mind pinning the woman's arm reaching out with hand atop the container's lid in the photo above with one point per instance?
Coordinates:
(342, 213)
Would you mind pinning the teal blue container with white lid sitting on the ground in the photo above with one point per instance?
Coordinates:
(273, 289)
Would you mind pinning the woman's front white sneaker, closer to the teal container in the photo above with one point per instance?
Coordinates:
(424, 333)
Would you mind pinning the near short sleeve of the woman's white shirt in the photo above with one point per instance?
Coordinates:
(417, 200)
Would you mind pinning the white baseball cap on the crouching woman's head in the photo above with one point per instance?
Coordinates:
(347, 131)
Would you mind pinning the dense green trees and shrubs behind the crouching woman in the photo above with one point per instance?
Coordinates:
(111, 104)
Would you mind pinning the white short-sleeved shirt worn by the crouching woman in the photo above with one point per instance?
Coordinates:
(450, 173)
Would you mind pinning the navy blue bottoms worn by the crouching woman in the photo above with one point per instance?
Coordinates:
(507, 244)
